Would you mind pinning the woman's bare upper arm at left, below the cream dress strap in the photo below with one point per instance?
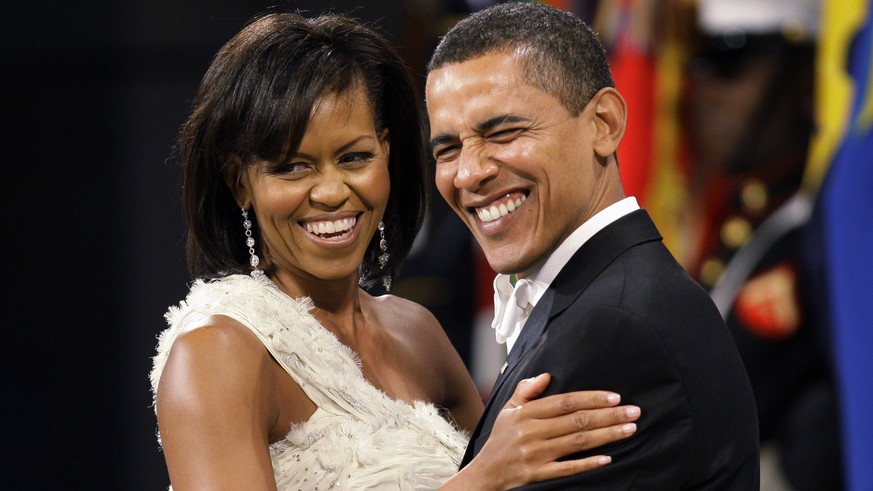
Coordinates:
(214, 409)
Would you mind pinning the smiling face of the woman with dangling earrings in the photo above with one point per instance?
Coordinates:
(319, 207)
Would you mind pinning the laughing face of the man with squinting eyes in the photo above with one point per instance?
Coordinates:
(512, 162)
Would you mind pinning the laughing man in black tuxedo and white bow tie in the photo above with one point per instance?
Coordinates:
(525, 124)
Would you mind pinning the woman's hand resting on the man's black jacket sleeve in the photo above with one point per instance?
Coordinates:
(530, 435)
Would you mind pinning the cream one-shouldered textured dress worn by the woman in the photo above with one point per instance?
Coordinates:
(358, 437)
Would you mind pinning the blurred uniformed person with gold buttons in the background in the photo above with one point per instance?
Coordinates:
(748, 112)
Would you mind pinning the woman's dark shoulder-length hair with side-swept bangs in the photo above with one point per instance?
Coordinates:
(254, 103)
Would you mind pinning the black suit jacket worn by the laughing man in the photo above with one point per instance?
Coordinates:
(623, 315)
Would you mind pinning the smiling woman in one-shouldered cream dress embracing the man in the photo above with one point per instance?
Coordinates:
(304, 177)
